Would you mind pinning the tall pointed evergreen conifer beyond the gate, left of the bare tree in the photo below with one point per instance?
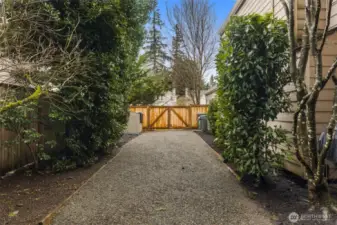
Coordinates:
(155, 46)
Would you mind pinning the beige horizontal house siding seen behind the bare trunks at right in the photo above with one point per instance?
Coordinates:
(324, 104)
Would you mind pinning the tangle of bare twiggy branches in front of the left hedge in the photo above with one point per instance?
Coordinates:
(32, 58)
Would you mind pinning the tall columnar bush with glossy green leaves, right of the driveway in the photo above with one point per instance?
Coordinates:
(251, 66)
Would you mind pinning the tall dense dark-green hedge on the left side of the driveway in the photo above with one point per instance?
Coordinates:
(111, 36)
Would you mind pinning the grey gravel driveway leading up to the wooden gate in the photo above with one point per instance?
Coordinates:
(165, 177)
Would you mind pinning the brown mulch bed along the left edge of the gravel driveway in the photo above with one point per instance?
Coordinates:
(28, 197)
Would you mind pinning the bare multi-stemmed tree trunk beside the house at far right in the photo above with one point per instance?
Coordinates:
(304, 130)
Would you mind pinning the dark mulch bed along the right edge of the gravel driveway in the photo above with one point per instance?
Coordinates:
(285, 193)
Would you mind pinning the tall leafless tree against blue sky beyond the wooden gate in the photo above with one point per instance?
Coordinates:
(195, 20)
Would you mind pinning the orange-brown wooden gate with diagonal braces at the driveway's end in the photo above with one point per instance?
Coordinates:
(170, 117)
